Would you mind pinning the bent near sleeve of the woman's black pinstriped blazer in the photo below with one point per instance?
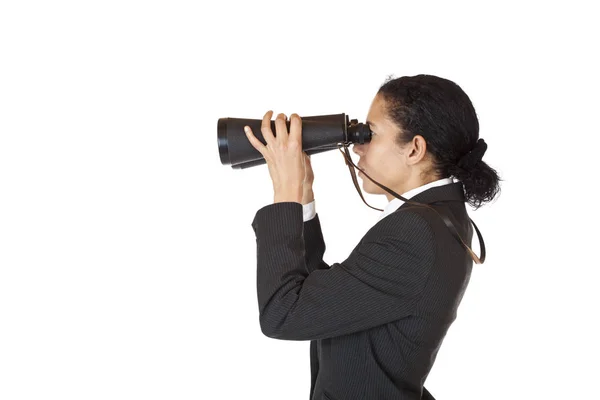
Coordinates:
(380, 282)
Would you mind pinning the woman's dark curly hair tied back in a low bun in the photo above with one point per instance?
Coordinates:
(442, 113)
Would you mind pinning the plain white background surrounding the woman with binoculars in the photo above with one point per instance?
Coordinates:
(127, 258)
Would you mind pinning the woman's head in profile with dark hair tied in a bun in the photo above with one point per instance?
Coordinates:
(424, 129)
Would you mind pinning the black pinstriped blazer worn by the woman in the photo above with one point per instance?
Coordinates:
(376, 320)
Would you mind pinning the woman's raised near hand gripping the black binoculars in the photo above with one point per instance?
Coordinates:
(284, 156)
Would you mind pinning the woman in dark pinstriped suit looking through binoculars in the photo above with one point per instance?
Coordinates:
(377, 319)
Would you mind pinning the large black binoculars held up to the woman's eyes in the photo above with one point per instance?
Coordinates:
(319, 133)
